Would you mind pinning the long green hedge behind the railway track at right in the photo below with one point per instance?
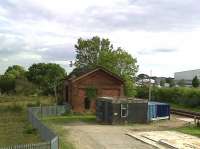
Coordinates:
(178, 95)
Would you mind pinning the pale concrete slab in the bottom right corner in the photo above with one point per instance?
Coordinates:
(168, 139)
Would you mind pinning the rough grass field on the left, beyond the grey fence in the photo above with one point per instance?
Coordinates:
(14, 127)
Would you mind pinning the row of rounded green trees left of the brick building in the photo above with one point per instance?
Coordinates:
(40, 78)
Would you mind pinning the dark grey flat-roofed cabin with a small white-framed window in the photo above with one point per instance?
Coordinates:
(110, 110)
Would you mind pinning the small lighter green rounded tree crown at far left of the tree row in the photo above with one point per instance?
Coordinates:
(15, 71)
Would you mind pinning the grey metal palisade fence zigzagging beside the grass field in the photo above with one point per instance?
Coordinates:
(34, 117)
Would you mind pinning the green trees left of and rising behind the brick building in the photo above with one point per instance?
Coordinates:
(44, 78)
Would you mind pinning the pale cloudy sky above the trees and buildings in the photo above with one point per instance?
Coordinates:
(164, 35)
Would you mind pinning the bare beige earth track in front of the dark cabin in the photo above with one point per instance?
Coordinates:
(95, 136)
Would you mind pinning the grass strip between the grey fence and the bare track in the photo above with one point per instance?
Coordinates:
(57, 123)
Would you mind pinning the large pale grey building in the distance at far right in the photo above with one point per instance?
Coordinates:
(187, 76)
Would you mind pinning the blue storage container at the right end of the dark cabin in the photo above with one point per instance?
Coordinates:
(157, 110)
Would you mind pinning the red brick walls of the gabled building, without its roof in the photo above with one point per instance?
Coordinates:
(105, 84)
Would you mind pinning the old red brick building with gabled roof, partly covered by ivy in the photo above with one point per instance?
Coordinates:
(104, 82)
